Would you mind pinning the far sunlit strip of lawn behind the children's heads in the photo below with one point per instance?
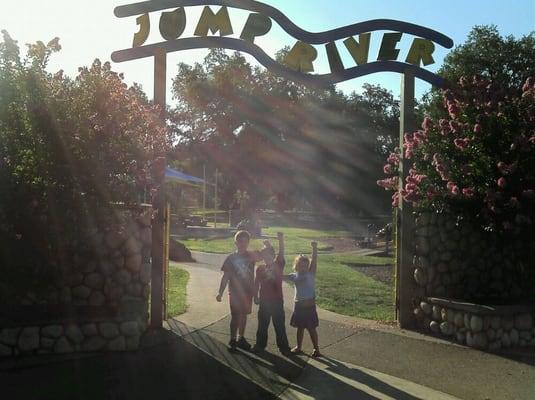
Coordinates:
(297, 240)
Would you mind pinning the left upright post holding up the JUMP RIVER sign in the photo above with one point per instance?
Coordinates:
(158, 222)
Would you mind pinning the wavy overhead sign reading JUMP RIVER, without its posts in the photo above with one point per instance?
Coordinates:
(299, 62)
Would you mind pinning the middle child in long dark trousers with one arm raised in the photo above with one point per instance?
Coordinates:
(268, 282)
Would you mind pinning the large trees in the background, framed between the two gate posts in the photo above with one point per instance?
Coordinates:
(279, 140)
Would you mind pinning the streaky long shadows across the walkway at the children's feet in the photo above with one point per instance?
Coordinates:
(292, 377)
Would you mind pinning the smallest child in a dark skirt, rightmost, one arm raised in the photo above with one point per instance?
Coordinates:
(305, 315)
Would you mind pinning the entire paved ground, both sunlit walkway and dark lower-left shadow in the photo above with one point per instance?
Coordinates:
(190, 360)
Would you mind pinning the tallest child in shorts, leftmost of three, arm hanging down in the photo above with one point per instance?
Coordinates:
(238, 272)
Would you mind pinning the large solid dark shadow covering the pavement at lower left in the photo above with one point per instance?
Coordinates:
(172, 369)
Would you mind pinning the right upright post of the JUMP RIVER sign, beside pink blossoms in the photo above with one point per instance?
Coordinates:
(405, 223)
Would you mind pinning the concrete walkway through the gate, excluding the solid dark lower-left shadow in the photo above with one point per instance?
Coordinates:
(363, 359)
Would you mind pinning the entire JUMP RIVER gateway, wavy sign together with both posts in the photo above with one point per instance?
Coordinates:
(297, 66)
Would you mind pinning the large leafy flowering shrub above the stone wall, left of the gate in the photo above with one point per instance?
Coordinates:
(68, 149)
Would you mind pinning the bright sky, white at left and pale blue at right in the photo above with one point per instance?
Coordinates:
(88, 30)
